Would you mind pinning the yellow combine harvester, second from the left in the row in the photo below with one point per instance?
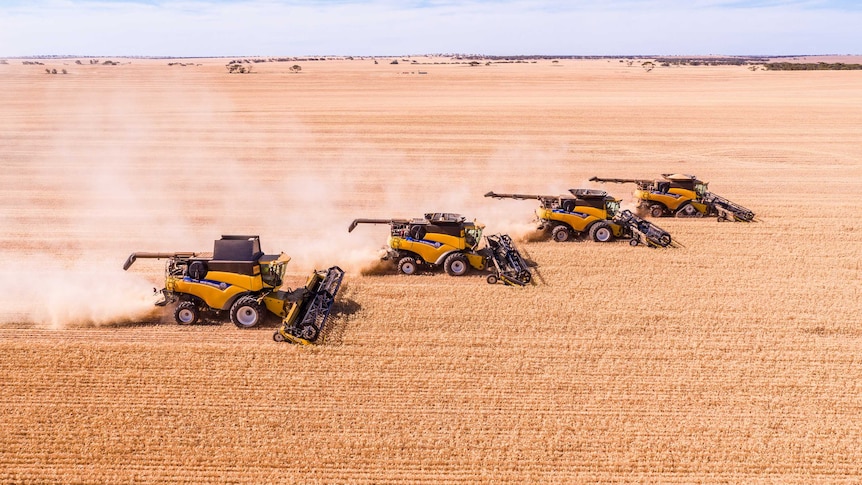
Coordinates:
(449, 240)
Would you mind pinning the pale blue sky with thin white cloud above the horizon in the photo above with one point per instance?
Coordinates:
(191, 28)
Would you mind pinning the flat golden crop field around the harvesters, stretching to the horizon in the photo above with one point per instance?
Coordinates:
(735, 358)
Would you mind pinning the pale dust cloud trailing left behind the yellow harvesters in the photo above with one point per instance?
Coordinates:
(87, 203)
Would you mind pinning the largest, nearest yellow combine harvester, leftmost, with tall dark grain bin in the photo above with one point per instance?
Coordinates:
(238, 278)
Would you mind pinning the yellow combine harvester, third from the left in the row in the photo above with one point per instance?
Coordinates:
(593, 213)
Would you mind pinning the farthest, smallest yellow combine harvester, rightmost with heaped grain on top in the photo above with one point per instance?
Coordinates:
(681, 195)
